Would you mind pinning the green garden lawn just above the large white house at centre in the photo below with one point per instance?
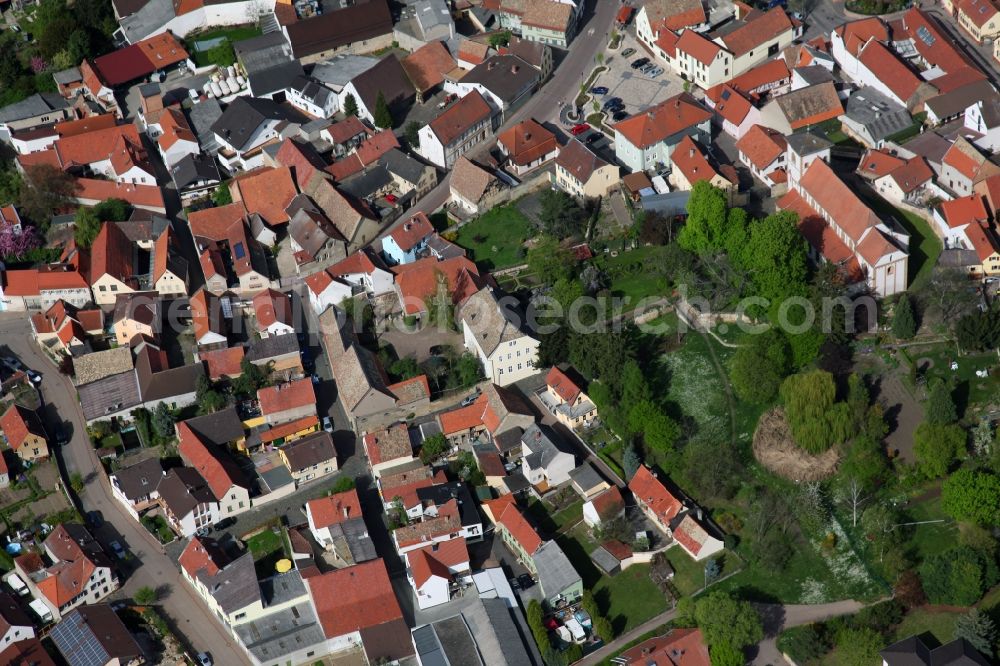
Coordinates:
(496, 240)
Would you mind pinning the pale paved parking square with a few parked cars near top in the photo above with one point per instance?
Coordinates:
(638, 91)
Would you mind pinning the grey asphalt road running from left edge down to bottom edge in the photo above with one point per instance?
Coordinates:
(183, 608)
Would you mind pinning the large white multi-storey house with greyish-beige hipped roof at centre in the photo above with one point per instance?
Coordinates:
(494, 333)
